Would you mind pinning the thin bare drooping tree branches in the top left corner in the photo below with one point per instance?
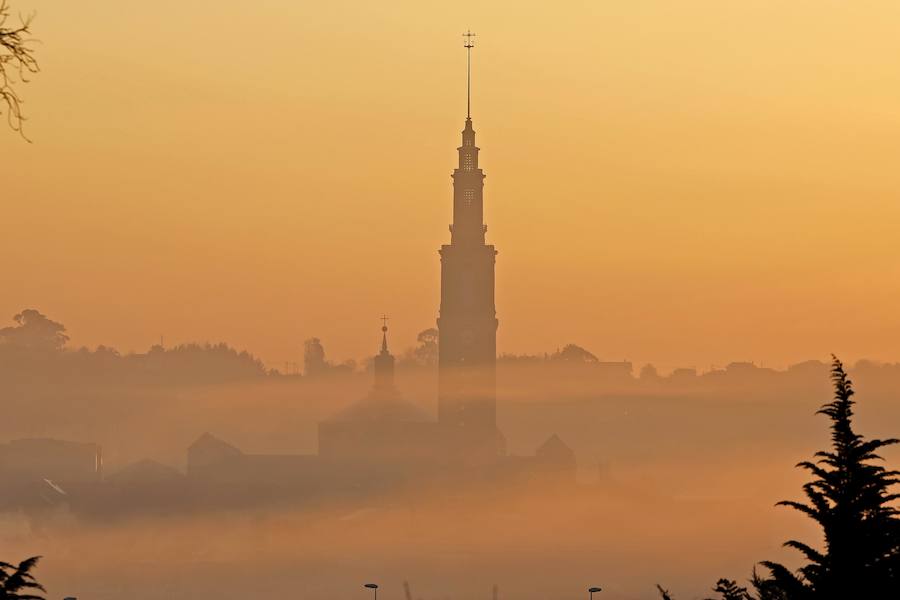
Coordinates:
(17, 63)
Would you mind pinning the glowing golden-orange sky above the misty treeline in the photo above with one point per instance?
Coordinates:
(686, 183)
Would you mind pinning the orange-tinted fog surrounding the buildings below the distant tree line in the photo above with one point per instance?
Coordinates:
(676, 487)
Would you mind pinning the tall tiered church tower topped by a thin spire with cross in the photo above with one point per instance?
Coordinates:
(467, 325)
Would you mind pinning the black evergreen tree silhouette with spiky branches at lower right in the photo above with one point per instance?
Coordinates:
(850, 498)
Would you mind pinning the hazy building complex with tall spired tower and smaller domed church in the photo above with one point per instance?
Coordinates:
(381, 442)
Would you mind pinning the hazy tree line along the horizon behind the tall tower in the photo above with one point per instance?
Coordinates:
(37, 348)
